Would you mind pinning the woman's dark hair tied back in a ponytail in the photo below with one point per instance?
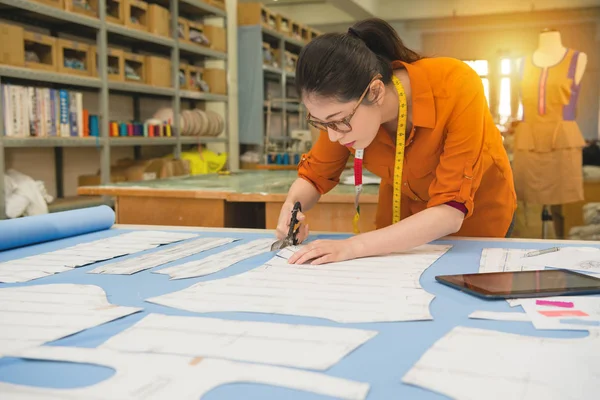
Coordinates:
(341, 65)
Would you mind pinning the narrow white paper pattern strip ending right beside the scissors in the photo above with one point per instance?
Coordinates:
(217, 262)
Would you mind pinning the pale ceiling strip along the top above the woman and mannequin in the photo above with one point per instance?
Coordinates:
(329, 12)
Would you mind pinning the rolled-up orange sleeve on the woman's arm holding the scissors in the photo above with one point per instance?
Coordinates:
(323, 164)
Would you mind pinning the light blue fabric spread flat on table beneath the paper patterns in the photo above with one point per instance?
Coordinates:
(381, 362)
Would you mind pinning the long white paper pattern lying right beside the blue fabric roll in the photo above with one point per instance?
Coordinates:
(41, 265)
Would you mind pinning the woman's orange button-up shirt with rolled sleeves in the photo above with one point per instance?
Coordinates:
(453, 153)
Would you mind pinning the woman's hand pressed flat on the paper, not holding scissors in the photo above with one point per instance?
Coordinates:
(324, 251)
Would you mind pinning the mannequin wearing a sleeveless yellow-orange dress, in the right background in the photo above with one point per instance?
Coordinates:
(548, 142)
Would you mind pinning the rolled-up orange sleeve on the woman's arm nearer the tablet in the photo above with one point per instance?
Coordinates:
(458, 174)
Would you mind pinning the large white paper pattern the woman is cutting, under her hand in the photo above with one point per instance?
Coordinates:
(374, 289)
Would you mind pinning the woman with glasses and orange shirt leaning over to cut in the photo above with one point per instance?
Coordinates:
(442, 164)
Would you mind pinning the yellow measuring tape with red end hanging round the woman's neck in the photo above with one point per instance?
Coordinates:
(398, 162)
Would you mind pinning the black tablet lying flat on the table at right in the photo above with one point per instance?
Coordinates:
(523, 284)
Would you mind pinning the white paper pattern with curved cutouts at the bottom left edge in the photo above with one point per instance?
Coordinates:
(158, 376)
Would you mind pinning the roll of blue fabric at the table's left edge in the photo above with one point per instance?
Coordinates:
(24, 231)
